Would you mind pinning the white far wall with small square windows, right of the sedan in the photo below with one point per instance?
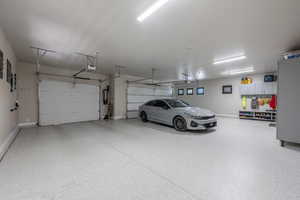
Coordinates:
(222, 104)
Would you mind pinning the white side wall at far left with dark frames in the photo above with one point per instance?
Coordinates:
(8, 120)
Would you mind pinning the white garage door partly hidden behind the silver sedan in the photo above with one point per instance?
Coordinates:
(138, 94)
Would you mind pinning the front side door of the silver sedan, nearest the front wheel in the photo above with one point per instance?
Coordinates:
(162, 112)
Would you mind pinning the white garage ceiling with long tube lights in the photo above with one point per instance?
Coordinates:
(185, 35)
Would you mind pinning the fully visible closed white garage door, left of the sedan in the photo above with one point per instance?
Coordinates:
(63, 102)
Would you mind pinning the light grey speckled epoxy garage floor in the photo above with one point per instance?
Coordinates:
(240, 160)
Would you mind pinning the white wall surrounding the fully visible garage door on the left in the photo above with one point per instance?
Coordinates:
(28, 88)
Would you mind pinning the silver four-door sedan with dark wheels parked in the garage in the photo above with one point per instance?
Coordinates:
(177, 113)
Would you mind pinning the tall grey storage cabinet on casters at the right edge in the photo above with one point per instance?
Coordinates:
(288, 101)
